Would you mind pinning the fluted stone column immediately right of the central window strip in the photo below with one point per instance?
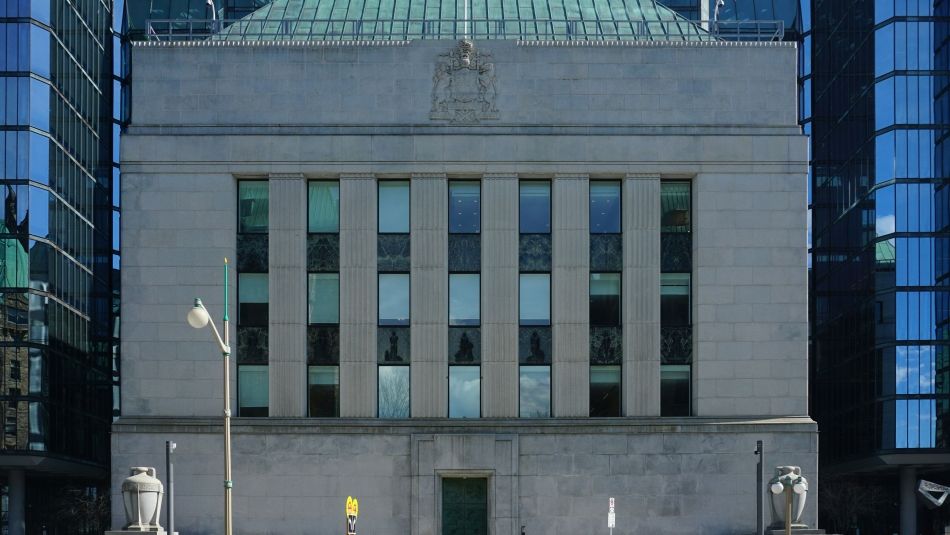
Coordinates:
(499, 295)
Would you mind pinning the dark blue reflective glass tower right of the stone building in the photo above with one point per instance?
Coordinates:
(878, 115)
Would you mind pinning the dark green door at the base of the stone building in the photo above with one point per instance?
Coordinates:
(465, 506)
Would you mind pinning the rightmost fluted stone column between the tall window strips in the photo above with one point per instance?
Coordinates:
(641, 295)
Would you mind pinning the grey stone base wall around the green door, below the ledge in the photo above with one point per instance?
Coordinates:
(292, 476)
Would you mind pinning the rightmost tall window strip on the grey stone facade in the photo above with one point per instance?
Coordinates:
(675, 303)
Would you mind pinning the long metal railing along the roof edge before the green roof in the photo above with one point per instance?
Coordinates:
(412, 29)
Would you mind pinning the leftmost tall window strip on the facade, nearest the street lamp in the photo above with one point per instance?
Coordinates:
(253, 297)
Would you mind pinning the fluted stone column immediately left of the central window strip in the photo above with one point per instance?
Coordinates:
(429, 295)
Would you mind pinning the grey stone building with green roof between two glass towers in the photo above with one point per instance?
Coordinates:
(500, 277)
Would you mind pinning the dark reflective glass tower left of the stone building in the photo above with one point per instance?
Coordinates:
(58, 262)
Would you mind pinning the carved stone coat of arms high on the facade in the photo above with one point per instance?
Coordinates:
(463, 86)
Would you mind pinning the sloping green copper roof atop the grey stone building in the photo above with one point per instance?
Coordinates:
(386, 20)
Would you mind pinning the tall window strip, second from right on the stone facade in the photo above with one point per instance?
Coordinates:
(606, 266)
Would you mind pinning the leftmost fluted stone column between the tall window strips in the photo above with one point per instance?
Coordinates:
(287, 262)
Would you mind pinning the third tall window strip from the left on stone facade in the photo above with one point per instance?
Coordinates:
(393, 347)
